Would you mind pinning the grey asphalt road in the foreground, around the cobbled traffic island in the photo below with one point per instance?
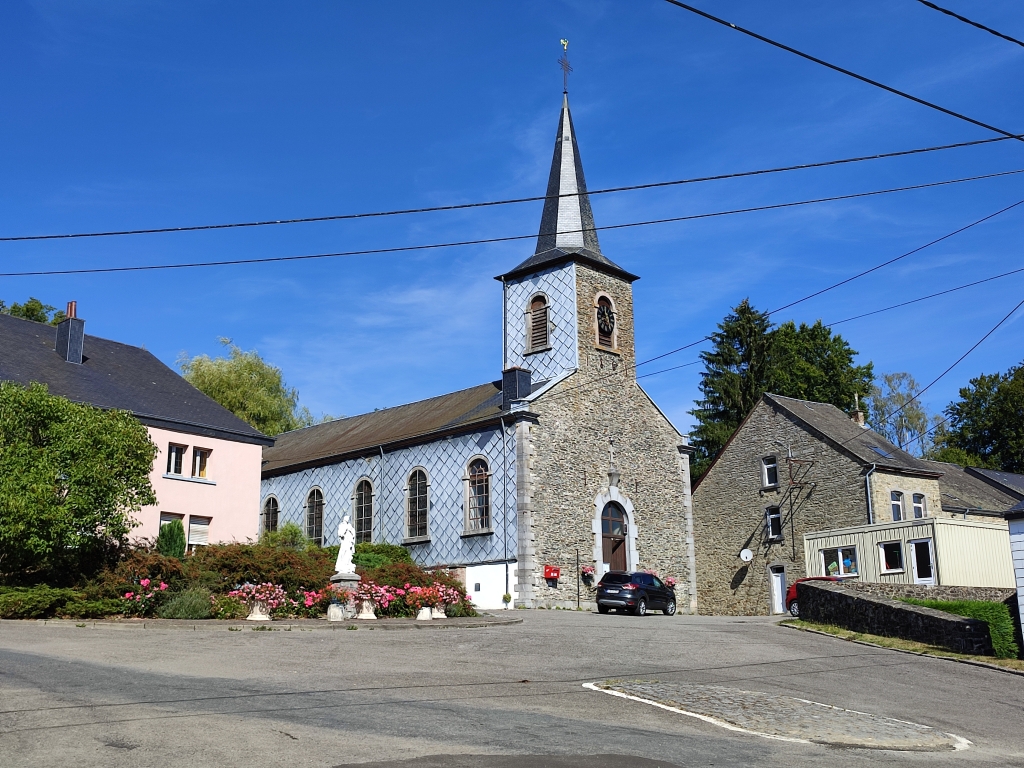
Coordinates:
(499, 698)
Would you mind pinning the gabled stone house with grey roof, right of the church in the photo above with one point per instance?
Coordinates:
(796, 468)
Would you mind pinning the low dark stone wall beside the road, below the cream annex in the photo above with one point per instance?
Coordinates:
(828, 603)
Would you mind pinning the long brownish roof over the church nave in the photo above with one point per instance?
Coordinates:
(393, 428)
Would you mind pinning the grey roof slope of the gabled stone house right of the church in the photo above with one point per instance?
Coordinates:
(865, 445)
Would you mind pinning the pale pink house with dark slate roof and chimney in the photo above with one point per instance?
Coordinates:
(207, 472)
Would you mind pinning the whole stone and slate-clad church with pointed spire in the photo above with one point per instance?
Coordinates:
(517, 485)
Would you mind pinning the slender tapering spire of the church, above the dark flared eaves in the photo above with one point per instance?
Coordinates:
(568, 223)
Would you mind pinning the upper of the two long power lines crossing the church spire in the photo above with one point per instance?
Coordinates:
(511, 201)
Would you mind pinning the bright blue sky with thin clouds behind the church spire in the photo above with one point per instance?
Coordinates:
(122, 115)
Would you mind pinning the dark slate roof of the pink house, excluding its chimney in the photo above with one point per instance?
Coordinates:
(116, 376)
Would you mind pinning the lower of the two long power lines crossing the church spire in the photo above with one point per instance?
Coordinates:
(486, 241)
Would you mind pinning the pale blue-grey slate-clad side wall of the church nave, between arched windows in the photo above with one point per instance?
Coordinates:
(445, 462)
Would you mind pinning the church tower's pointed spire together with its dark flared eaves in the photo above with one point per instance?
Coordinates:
(568, 231)
